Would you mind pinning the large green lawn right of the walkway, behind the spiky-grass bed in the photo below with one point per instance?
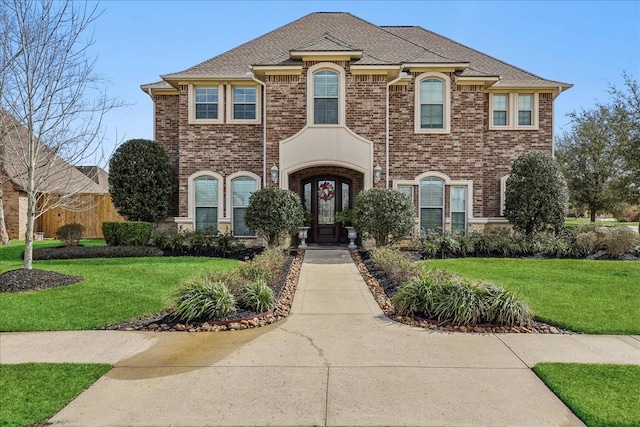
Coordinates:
(595, 297)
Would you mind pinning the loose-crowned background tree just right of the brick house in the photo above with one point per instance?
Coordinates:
(590, 160)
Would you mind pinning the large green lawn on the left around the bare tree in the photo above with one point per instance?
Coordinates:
(114, 290)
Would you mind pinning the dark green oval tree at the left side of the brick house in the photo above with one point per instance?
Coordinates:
(140, 180)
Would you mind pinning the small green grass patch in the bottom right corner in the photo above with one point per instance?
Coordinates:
(601, 395)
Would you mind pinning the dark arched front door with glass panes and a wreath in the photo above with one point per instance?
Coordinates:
(324, 197)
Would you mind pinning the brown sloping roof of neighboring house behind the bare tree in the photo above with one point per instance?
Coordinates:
(53, 175)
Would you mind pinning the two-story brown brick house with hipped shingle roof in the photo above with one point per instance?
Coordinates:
(329, 105)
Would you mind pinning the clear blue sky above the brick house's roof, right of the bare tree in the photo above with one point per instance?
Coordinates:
(586, 43)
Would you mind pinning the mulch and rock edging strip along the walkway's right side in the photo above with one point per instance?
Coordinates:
(383, 288)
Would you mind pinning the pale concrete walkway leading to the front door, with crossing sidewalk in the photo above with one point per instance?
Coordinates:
(336, 361)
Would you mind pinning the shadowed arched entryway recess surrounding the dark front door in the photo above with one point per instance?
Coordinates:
(325, 191)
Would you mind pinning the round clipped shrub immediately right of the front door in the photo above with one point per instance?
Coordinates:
(384, 214)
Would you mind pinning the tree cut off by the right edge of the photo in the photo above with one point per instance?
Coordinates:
(626, 104)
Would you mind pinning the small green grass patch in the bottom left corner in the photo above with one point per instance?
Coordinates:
(33, 392)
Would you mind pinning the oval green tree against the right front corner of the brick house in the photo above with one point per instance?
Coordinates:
(536, 196)
